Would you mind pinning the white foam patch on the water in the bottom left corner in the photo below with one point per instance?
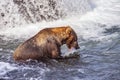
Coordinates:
(7, 68)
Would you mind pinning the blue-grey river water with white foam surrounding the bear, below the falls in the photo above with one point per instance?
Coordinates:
(97, 24)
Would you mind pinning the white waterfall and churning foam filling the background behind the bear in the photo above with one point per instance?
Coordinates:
(89, 18)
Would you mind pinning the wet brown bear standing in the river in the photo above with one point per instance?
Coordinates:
(46, 44)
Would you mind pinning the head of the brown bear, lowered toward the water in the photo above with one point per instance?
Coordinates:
(71, 38)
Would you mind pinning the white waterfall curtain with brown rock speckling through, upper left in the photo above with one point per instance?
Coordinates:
(15, 13)
